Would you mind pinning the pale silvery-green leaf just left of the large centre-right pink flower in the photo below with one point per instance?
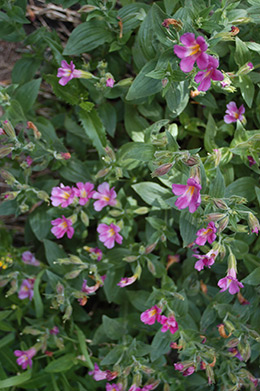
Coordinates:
(152, 193)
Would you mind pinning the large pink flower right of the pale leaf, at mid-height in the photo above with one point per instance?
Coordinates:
(190, 195)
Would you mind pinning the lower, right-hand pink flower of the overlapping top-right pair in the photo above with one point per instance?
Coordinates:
(211, 73)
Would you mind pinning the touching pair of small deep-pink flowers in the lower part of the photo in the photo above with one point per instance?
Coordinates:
(152, 315)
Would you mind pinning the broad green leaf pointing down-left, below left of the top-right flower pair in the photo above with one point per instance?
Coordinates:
(143, 85)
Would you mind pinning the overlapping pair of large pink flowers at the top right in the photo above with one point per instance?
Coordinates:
(194, 50)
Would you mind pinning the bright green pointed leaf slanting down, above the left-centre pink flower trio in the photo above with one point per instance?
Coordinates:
(94, 129)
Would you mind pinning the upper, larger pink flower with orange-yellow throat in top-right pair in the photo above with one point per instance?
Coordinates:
(192, 51)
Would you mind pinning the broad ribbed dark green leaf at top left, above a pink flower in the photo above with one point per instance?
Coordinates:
(87, 36)
